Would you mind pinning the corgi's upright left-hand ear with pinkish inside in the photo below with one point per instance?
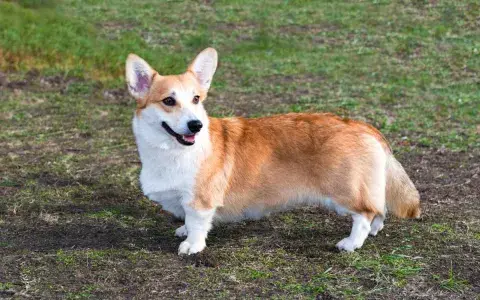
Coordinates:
(139, 76)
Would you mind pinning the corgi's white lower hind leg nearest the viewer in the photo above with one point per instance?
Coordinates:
(358, 235)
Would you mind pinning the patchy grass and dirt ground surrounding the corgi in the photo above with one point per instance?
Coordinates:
(73, 221)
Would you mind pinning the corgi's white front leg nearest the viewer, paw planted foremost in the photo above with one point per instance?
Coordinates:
(197, 224)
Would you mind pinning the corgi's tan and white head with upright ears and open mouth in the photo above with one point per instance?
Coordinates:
(172, 104)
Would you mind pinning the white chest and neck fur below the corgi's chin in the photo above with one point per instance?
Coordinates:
(168, 168)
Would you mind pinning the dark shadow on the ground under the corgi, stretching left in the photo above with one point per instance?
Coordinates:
(77, 229)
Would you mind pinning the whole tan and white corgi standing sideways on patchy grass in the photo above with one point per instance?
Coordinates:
(207, 170)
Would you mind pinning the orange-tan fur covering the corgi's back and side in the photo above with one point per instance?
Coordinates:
(268, 161)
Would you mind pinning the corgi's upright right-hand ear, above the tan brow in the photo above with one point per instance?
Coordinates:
(204, 66)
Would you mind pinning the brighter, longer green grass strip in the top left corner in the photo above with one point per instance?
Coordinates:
(23, 45)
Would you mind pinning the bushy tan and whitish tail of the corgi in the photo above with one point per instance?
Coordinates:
(401, 195)
